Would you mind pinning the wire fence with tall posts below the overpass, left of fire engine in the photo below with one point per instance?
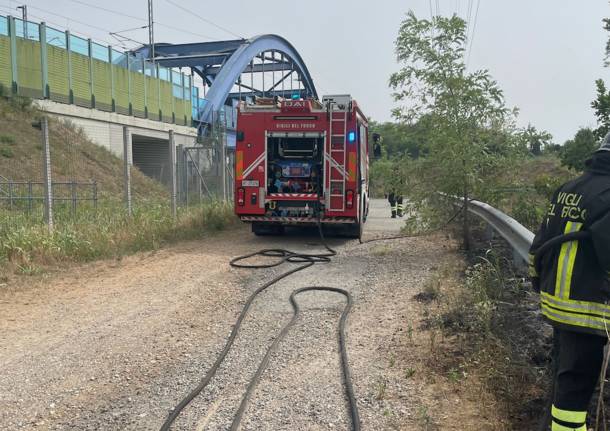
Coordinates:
(64, 179)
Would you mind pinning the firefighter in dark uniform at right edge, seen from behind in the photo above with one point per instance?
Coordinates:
(572, 276)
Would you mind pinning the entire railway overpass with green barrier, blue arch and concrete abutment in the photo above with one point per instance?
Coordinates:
(191, 89)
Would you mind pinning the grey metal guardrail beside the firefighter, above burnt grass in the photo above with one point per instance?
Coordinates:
(517, 235)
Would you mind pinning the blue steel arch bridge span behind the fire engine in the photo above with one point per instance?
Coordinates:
(234, 70)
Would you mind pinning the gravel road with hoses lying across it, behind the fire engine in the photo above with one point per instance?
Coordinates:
(115, 345)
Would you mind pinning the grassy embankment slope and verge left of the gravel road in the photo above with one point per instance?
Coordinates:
(26, 247)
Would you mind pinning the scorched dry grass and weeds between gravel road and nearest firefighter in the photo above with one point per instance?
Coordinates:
(485, 332)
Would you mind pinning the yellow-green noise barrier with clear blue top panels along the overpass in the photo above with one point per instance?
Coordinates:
(41, 62)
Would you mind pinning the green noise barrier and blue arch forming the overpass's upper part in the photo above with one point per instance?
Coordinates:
(186, 84)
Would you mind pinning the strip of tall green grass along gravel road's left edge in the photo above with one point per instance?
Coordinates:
(26, 246)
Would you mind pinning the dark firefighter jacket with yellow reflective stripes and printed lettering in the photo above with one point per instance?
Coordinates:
(574, 275)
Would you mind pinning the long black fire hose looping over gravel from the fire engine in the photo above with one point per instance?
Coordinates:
(307, 260)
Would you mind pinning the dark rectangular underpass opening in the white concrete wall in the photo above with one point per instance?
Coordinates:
(151, 157)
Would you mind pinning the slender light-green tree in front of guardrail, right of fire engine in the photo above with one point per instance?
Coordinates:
(465, 108)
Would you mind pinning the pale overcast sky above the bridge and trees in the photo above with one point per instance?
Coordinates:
(545, 54)
